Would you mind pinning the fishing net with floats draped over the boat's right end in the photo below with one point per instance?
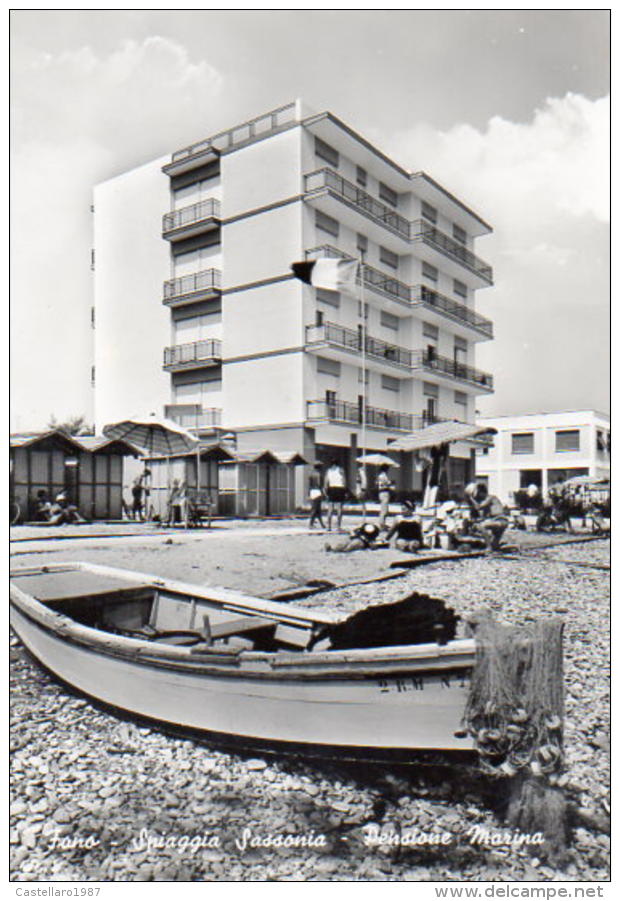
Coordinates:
(515, 705)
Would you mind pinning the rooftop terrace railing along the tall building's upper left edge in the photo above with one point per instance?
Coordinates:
(253, 130)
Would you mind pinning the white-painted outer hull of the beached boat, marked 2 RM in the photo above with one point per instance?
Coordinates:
(387, 699)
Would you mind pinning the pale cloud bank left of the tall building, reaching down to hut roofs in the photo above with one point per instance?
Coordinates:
(79, 117)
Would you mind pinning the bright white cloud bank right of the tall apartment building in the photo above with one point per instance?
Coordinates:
(544, 186)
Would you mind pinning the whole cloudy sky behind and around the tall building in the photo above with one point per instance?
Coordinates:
(509, 110)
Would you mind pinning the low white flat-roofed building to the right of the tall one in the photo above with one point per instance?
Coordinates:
(544, 448)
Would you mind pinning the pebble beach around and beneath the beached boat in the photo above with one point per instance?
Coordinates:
(95, 797)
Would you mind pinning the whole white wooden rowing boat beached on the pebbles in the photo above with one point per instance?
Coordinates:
(235, 666)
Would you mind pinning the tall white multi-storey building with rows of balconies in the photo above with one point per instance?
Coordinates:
(198, 315)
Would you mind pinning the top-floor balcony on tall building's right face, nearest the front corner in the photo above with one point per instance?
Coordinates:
(326, 182)
